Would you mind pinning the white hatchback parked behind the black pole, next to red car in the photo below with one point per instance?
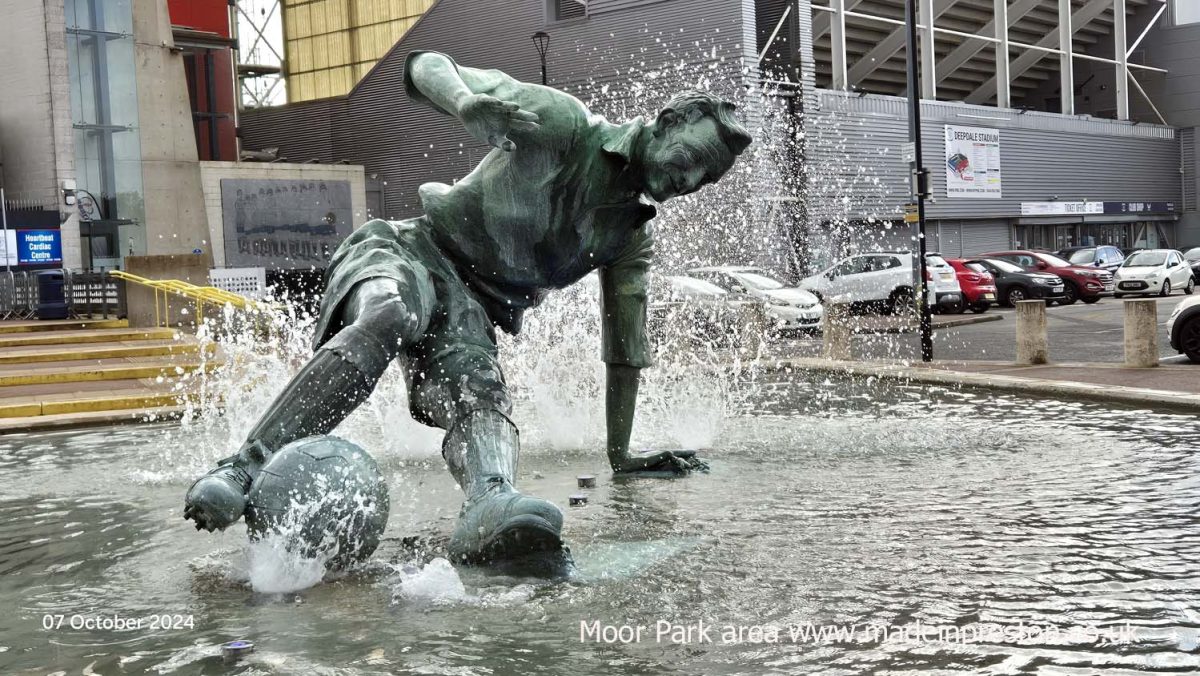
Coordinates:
(881, 279)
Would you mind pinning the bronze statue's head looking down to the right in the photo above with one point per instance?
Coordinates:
(683, 157)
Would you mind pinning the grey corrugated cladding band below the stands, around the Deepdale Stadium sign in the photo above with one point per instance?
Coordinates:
(856, 149)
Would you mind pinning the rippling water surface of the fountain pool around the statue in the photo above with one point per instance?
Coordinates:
(952, 533)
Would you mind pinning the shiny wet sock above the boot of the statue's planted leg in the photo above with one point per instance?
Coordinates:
(481, 450)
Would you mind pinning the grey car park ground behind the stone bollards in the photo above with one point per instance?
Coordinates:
(1078, 334)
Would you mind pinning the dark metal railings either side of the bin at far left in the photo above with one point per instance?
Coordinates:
(88, 295)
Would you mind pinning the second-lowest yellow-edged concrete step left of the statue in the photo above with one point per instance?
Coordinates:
(95, 370)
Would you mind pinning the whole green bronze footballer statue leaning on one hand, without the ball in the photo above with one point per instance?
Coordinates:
(560, 196)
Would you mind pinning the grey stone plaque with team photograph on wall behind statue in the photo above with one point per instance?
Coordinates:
(284, 225)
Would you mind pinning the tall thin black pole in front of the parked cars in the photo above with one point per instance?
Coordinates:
(920, 186)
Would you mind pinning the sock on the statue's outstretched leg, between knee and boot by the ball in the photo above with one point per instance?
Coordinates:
(338, 380)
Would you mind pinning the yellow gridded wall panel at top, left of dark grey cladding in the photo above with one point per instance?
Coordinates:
(332, 44)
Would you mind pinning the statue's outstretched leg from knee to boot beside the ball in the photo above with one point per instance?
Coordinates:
(380, 318)
